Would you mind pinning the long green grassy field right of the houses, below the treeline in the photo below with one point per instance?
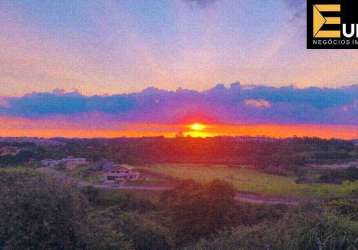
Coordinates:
(248, 180)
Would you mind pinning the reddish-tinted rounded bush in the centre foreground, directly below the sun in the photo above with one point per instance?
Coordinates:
(199, 210)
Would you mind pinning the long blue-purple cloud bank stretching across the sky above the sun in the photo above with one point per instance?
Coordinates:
(234, 104)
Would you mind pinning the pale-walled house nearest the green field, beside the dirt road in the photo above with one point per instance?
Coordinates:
(120, 173)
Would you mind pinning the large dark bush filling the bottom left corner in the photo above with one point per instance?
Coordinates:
(42, 214)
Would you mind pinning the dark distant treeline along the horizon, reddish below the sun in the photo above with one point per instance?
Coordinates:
(254, 152)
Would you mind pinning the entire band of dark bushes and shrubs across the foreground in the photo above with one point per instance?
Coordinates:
(40, 213)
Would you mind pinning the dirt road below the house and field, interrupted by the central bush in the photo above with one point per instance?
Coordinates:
(243, 197)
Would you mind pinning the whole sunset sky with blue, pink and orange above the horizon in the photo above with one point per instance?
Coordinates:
(65, 65)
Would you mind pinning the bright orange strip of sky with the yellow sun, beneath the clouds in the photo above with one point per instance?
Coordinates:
(56, 127)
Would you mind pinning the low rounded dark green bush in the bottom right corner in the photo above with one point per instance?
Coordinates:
(307, 228)
